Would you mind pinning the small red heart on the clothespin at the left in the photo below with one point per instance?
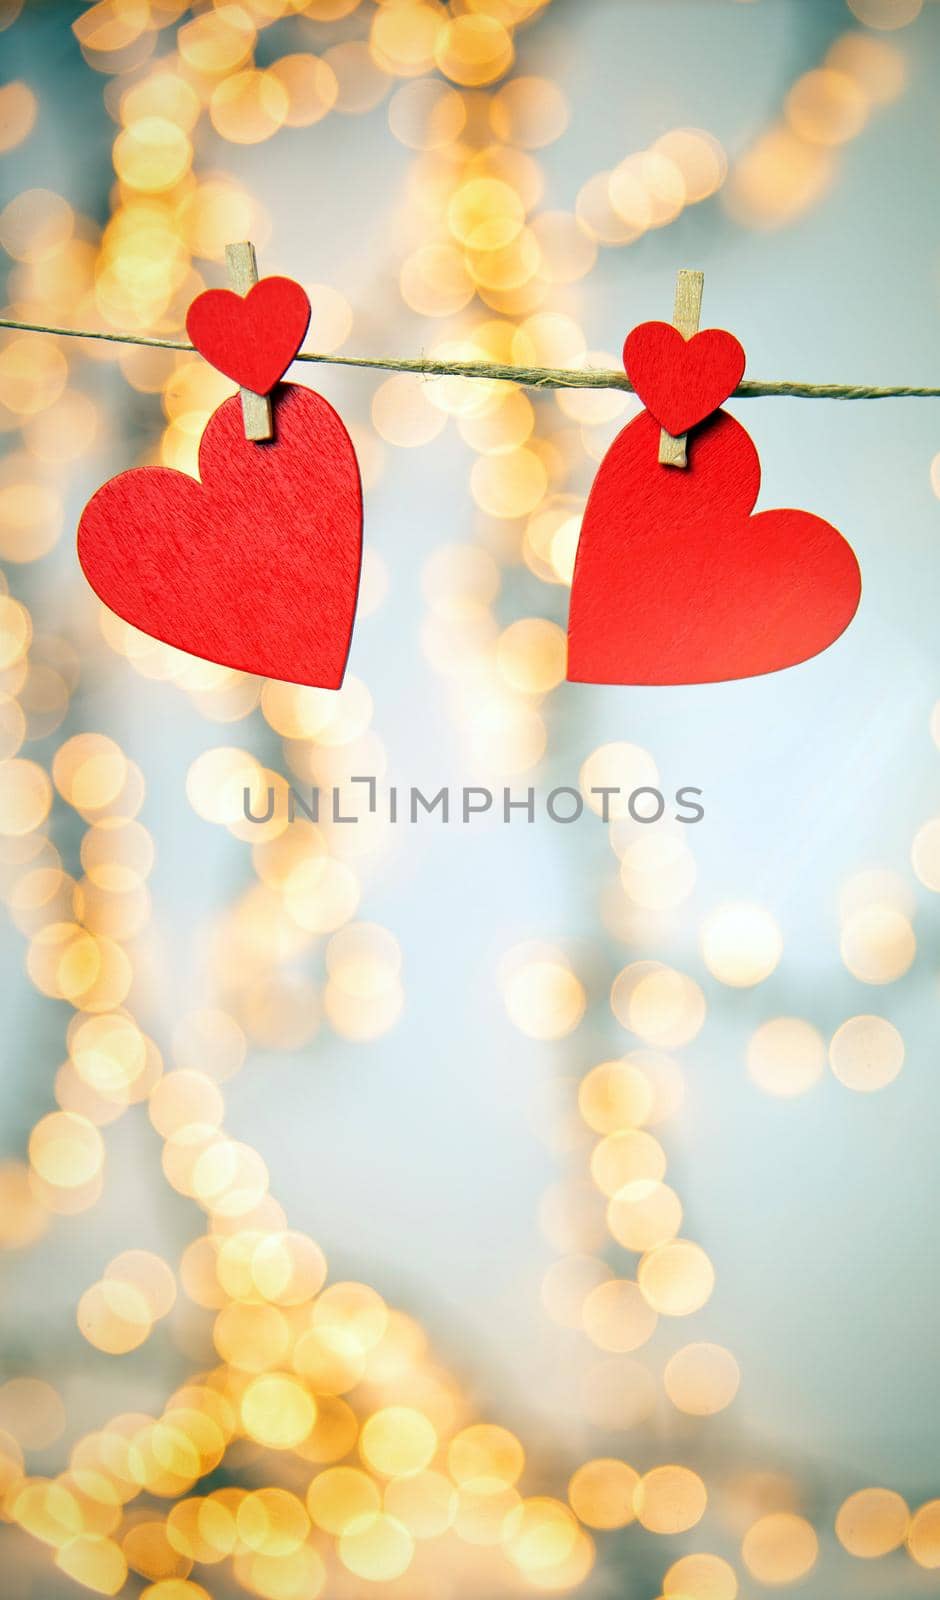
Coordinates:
(252, 338)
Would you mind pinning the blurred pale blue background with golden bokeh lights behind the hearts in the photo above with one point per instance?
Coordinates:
(487, 1209)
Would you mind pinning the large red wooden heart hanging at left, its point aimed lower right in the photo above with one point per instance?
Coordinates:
(255, 567)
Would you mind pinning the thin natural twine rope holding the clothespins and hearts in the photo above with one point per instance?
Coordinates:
(527, 377)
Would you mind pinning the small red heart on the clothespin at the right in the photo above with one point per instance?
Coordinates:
(682, 382)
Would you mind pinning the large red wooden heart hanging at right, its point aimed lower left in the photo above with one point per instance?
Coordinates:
(677, 583)
